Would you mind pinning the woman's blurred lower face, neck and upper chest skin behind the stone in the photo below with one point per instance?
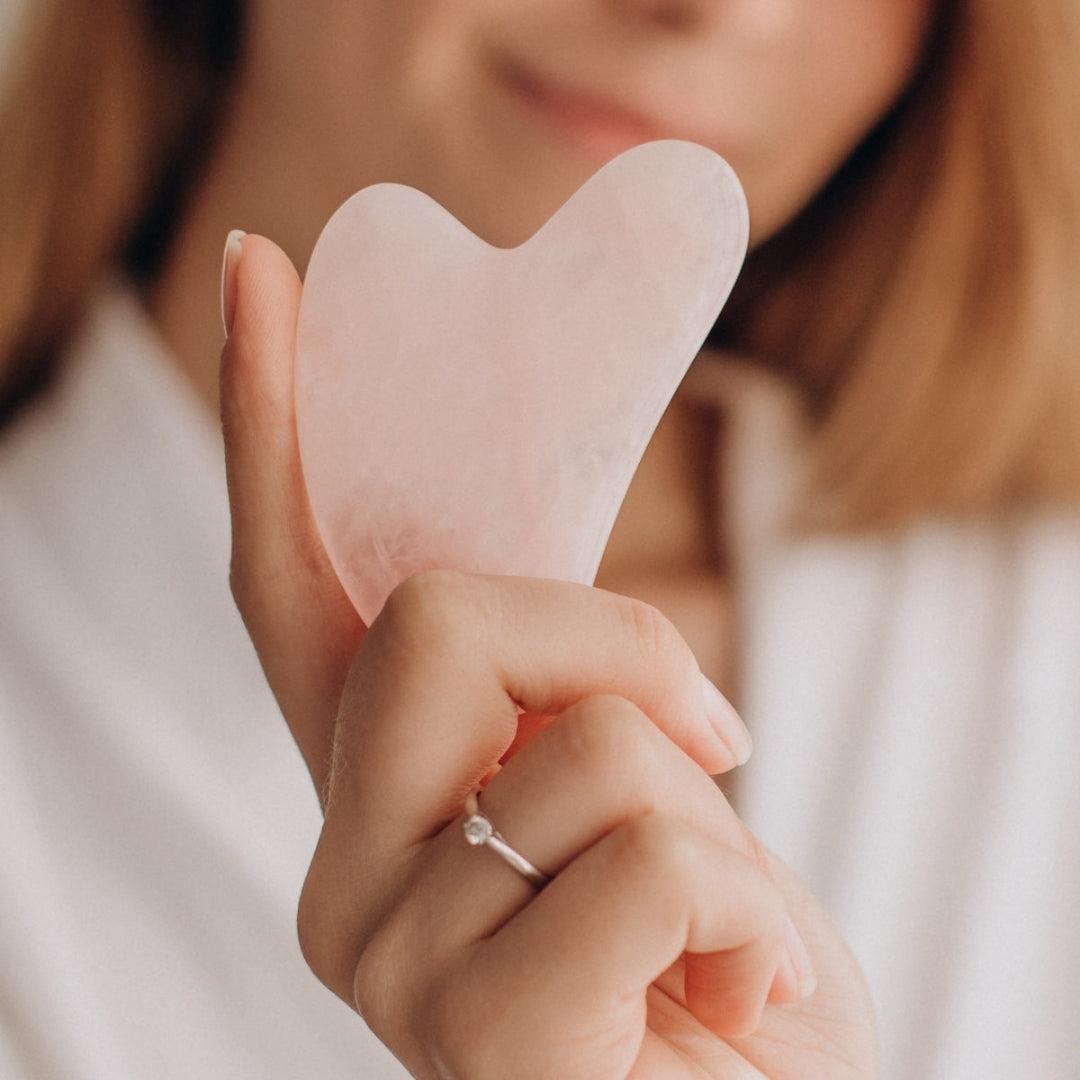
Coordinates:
(435, 93)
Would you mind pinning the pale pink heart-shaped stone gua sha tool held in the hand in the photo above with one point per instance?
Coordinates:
(470, 408)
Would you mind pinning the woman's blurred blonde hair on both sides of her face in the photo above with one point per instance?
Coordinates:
(924, 302)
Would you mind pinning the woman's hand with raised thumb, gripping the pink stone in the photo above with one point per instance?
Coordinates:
(666, 930)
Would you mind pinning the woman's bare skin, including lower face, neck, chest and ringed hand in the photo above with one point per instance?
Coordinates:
(670, 943)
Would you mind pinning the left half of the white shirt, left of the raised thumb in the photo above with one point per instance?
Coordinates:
(156, 820)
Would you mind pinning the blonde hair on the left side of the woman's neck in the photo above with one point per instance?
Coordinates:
(107, 111)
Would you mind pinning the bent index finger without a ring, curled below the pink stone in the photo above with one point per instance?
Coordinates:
(436, 691)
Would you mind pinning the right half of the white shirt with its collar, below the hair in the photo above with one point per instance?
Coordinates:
(915, 705)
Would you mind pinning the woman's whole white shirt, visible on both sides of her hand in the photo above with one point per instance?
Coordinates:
(915, 701)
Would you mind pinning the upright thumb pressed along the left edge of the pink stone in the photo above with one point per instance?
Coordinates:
(304, 627)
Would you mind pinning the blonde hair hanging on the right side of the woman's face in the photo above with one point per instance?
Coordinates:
(927, 303)
